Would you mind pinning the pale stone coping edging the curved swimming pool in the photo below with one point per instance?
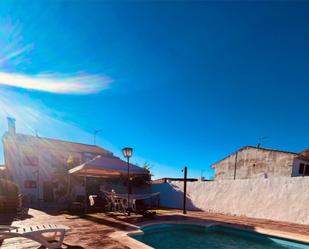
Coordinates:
(125, 238)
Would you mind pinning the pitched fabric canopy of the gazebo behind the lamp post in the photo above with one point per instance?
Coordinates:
(107, 166)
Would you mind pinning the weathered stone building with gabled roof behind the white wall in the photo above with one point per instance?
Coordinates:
(255, 162)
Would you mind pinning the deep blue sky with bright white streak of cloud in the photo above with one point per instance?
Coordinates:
(183, 83)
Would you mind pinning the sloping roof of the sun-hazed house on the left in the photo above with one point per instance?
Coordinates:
(55, 144)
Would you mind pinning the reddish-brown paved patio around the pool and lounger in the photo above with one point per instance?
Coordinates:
(96, 230)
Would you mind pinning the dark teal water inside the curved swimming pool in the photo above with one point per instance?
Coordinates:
(170, 236)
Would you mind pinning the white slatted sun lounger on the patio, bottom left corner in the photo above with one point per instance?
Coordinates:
(36, 233)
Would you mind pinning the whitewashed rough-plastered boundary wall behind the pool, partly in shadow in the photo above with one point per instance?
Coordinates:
(282, 199)
